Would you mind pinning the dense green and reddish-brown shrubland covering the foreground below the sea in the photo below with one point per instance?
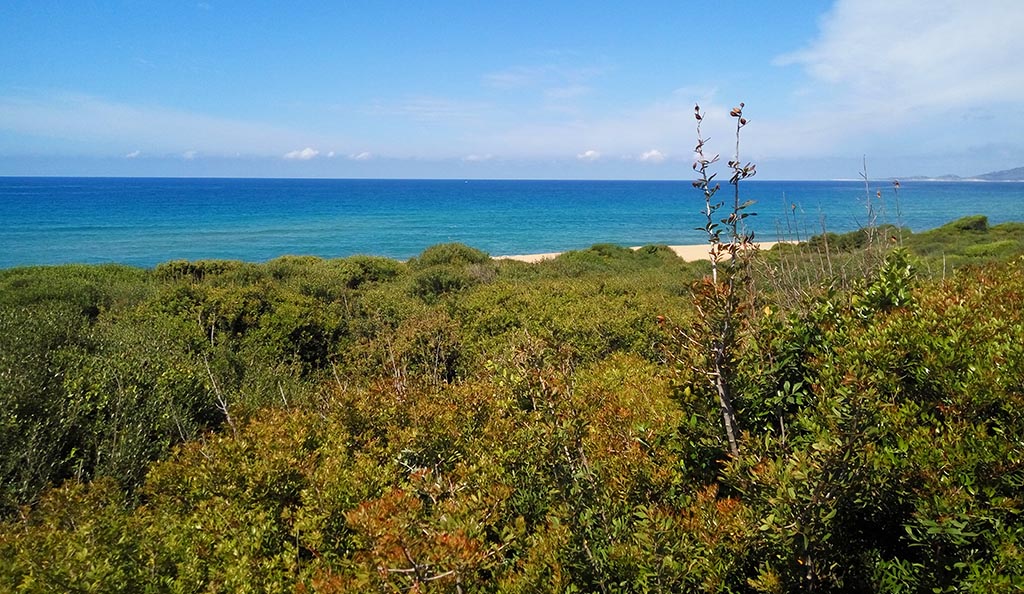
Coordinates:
(460, 425)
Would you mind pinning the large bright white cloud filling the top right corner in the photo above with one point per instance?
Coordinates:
(944, 53)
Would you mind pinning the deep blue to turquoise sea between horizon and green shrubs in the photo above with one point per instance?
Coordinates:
(145, 222)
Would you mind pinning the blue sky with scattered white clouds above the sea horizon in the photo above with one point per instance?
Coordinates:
(525, 90)
